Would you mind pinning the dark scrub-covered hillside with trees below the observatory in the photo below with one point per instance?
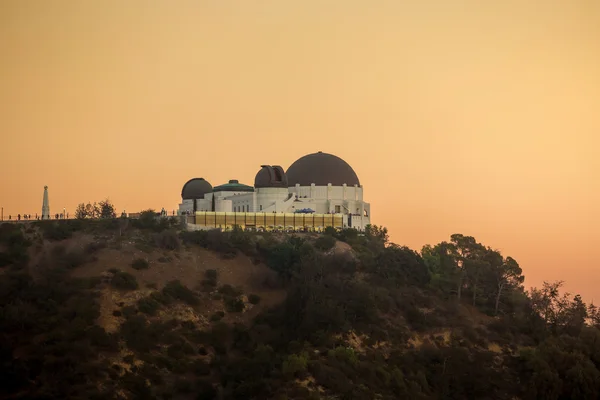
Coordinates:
(138, 309)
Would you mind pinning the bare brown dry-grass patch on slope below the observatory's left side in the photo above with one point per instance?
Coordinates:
(188, 265)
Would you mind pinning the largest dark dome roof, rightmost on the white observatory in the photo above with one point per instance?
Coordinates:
(321, 169)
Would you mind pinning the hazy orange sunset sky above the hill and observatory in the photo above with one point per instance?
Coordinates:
(464, 116)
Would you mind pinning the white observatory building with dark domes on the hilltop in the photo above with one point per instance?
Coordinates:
(316, 191)
